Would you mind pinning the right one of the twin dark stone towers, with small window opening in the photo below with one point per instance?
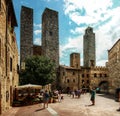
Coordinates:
(50, 35)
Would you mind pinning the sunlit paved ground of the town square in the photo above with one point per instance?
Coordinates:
(71, 107)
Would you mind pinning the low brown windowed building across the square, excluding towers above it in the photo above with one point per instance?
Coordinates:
(75, 78)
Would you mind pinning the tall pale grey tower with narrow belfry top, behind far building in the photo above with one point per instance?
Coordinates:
(89, 48)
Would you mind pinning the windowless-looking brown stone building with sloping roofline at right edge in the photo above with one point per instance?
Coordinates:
(114, 67)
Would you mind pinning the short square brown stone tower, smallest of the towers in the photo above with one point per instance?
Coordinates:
(75, 60)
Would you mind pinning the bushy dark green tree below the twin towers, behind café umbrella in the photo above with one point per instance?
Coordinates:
(38, 70)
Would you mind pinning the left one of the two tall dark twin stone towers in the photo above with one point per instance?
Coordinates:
(26, 35)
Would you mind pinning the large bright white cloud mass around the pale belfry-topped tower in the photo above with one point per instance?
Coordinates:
(104, 20)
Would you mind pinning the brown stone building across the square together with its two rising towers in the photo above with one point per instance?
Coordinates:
(76, 76)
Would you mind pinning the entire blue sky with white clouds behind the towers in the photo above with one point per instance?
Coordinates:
(74, 17)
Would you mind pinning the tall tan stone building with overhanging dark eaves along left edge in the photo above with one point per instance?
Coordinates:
(8, 55)
